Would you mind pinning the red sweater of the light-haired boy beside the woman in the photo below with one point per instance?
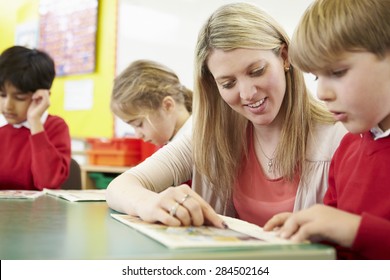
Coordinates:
(359, 182)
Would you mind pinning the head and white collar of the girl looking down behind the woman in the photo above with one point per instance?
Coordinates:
(149, 96)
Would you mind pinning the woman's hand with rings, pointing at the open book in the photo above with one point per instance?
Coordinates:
(178, 206)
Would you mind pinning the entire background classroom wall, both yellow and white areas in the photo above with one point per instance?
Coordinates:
(165, 31)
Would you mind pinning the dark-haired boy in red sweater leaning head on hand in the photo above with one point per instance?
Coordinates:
(34, 146)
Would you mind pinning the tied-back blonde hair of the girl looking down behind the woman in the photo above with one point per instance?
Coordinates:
(142, 86)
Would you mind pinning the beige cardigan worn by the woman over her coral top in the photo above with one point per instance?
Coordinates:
(172, 165)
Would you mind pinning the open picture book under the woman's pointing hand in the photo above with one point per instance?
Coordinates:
(239, 234)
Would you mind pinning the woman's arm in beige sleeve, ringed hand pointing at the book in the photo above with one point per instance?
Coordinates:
(146, 191)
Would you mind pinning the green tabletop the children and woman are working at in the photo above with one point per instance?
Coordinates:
(53, 228)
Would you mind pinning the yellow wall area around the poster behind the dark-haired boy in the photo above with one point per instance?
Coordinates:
(98, 121)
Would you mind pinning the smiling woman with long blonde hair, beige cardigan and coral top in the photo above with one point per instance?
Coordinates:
(261, 144)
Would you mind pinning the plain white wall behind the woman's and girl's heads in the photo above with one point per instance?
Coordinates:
(167, 30)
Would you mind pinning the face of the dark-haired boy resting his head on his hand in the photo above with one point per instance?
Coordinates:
(14, 103)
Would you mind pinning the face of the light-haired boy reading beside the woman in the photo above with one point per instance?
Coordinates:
(356, 90)
